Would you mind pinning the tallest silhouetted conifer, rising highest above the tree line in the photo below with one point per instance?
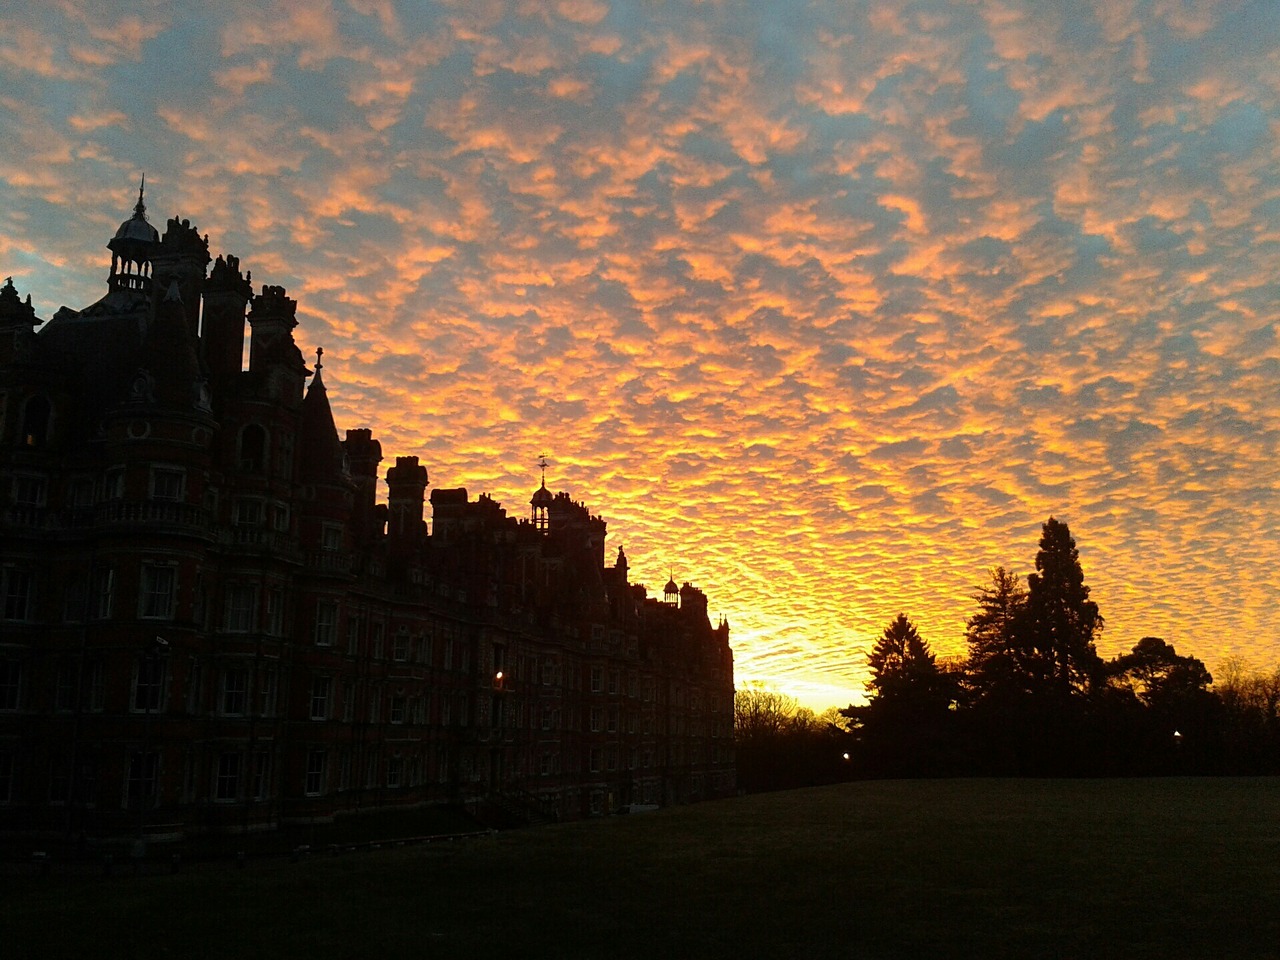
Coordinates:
(1055, 633)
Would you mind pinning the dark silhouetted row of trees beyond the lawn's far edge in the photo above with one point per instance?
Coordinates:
(1032, 697)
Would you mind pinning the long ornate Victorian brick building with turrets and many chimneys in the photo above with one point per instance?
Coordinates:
(211, 623)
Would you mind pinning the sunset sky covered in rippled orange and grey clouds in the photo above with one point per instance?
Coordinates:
(824, 307)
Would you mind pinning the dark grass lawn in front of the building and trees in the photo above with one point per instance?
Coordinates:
(1122, 868)
